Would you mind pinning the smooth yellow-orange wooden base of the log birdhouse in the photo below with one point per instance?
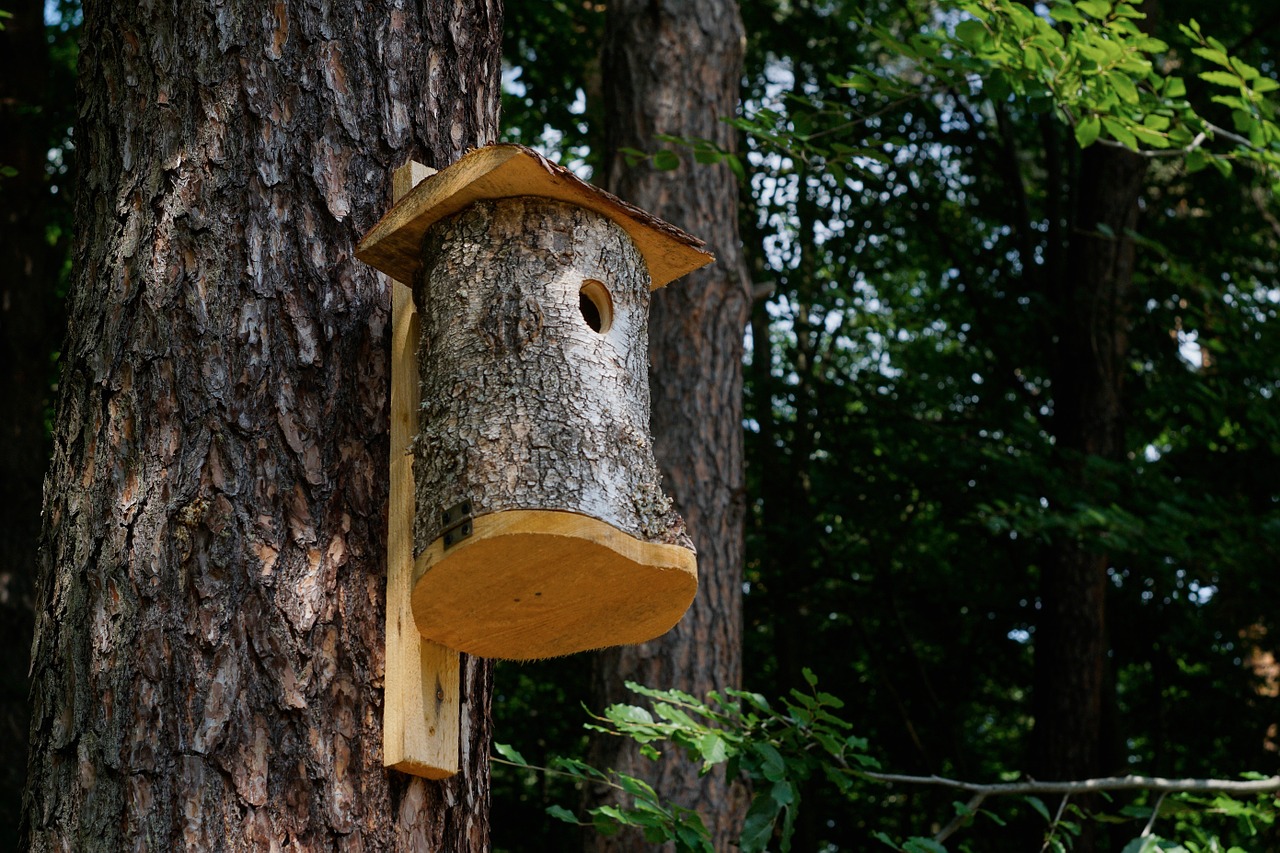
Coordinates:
(532, 585)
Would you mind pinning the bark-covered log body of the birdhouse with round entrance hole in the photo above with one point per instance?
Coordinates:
(525, 407)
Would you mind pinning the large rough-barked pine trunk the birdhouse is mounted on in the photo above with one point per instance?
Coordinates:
(209, 650)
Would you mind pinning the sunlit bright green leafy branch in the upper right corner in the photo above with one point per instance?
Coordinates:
(1091, 63)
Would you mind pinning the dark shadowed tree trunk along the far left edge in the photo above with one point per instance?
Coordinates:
(28, 312)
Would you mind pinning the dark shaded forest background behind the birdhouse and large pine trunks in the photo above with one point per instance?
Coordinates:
(934, 432)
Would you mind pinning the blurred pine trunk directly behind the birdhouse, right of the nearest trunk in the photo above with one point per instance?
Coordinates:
(675, 69)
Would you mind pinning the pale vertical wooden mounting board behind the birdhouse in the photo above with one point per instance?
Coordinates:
(420, 708)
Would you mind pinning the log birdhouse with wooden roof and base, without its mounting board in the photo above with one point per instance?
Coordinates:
(541, 526)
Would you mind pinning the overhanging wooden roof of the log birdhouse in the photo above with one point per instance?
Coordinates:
(510, 171)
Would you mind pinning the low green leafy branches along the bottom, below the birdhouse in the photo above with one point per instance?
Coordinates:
(776, 751)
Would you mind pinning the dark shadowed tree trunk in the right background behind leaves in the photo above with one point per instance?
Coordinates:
(1092, 303)
